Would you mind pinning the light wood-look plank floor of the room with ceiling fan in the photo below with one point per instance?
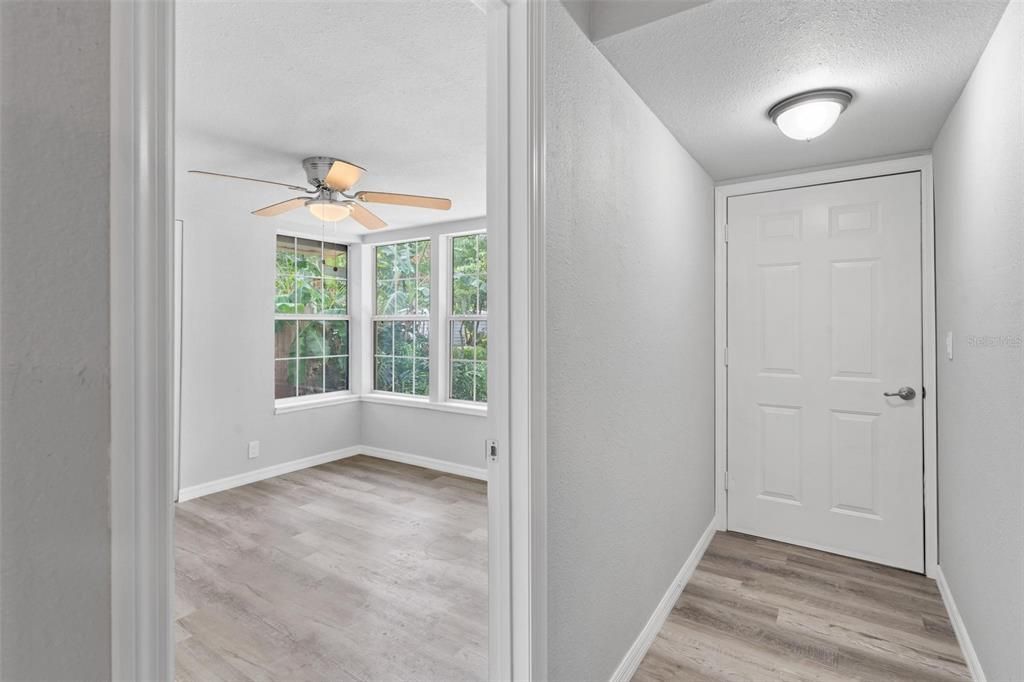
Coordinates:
(358, 571)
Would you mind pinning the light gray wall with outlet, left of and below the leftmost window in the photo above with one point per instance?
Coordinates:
(228, 345)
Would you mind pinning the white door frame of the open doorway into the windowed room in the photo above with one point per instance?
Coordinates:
(142, 325)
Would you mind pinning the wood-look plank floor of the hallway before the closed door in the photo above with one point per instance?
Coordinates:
(757, 610)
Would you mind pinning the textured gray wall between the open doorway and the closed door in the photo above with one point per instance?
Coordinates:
(630, 354)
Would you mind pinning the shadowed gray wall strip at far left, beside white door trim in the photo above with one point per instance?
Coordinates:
(55, 297)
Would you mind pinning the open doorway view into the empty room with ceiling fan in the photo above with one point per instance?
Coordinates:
(333, 351)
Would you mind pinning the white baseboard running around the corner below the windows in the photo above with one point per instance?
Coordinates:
(229, 483)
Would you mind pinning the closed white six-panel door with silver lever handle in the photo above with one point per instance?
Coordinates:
(825, 319)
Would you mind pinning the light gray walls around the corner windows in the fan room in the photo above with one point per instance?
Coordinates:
(228, 377)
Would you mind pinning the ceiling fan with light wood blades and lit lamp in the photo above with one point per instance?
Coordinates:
(330, 200)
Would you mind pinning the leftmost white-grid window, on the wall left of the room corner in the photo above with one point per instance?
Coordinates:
(311, 322)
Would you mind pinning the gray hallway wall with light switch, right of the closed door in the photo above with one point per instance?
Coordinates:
(979, 225)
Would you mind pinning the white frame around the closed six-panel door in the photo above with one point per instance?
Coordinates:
(922, 163)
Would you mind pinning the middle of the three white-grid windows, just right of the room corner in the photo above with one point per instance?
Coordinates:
(402, 318)
